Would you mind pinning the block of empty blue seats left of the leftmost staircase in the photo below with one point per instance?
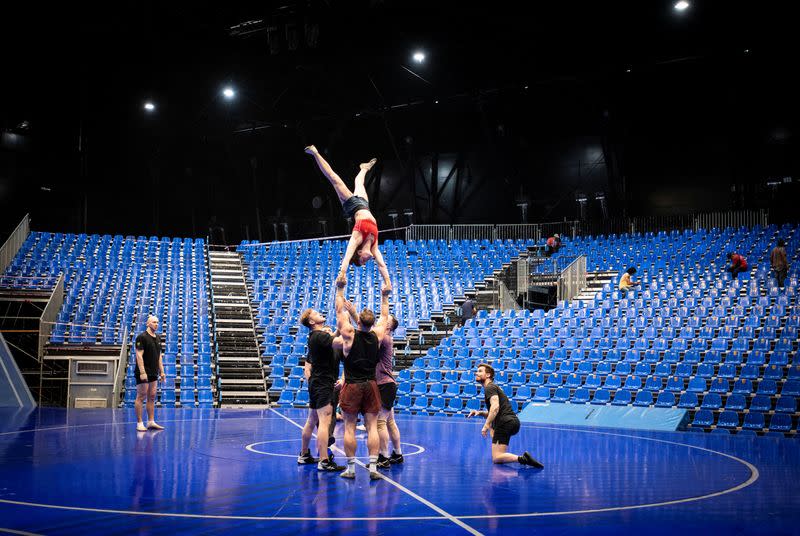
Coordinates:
(112, 284)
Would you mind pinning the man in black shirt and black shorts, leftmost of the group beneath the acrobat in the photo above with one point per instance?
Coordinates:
(321, 370)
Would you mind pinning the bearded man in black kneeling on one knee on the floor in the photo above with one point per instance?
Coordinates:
(501, 420)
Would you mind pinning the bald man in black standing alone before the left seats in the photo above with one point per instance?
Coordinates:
(149, 367)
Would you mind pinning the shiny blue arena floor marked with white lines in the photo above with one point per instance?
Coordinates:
(217, 471)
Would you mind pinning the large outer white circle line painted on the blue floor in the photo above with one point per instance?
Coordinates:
(754, 475)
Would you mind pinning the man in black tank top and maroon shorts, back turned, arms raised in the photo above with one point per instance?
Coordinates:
(360, 391)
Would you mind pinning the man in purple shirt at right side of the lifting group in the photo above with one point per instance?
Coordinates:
(387, 386)
